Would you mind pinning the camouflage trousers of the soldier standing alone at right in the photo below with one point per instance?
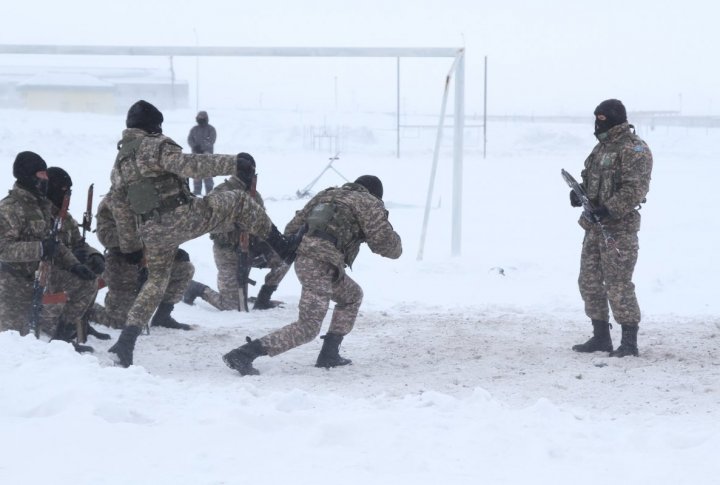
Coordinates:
(606, 276)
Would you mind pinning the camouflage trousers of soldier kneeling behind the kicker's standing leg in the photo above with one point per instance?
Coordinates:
(122, 279)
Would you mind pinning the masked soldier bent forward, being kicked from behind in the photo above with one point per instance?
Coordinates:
(339, 220)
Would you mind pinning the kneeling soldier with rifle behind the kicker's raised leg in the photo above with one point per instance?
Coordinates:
(233, 262)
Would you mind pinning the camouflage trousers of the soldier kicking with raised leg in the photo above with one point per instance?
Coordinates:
(161, 235)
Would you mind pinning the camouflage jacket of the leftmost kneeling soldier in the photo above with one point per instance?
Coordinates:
(25, 220)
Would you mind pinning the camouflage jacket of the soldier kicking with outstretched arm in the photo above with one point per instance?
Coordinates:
(159, 160)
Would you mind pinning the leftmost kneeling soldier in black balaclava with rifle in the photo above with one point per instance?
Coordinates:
(26, 220)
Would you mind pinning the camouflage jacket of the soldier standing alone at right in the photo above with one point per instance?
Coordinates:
(617, 175)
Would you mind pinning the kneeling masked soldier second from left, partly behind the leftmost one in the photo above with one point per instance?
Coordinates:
(74, 312)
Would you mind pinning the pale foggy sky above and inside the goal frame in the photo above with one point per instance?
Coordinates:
(549, 57)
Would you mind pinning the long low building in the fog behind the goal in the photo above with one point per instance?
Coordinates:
(95, 90)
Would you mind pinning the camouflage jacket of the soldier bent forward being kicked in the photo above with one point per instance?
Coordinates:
(362, 218)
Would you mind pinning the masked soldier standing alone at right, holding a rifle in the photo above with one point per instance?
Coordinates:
(616, 179)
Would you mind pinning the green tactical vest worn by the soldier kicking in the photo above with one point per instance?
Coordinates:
(148, 195)
